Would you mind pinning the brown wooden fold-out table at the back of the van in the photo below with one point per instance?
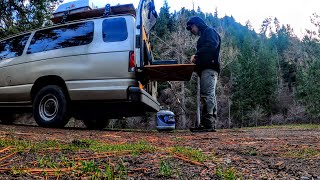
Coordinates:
(171, 72)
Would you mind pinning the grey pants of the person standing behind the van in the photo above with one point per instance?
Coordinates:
(208, 82)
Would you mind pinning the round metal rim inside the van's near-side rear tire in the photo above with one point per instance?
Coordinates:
(48, 107)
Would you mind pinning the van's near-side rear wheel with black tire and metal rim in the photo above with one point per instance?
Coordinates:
(50, 107)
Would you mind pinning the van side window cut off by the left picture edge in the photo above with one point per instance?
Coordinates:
(13, 47)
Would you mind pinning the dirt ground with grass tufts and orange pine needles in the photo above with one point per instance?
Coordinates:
(282, 152)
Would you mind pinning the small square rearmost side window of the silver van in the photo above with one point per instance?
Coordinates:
(114, 30)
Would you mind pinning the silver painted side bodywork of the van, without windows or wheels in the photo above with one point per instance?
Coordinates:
(96, 71)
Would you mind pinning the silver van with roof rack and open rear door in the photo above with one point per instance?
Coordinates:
(90, 69)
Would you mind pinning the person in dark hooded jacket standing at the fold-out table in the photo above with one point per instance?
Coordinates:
(208, 68)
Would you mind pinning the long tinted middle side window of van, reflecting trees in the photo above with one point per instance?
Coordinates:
(62, 37)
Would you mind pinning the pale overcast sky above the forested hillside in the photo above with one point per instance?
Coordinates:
(294, 12)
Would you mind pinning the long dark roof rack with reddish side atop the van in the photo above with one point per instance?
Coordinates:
(85, 13)
